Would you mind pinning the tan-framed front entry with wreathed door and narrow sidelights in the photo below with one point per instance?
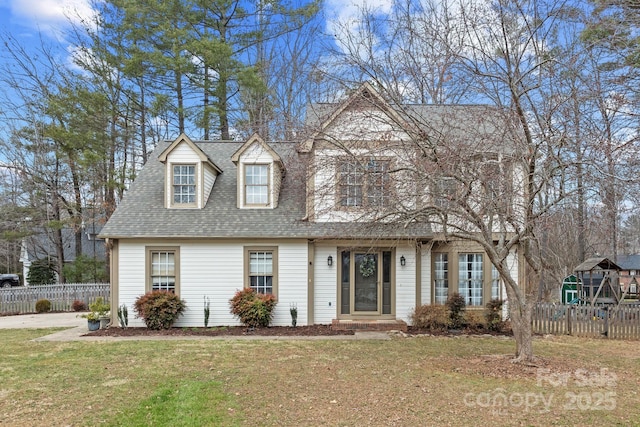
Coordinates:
(365, 285)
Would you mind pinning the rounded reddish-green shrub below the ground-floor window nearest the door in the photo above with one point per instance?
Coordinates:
(253, 309)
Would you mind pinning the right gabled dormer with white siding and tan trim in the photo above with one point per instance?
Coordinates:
(260, 172)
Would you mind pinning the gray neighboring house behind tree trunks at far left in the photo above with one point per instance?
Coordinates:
(39, 246)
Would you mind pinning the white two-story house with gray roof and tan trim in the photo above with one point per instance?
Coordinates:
(304, 221)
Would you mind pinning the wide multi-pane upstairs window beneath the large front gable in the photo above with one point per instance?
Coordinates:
(364, 184)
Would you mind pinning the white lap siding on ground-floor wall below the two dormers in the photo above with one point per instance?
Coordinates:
(215, 270)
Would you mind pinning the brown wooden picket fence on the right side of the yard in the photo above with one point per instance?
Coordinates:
(616, 322)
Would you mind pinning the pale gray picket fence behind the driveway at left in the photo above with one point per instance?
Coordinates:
(23, 299)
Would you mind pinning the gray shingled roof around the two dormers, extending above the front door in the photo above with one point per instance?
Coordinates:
(141, 213)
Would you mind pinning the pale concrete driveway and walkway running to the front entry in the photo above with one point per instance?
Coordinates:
(77, 326)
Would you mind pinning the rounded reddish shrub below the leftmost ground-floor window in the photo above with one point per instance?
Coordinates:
(159, 309)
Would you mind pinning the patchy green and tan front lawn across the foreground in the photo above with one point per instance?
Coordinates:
(422, 381)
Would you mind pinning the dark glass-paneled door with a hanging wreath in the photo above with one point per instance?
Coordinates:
(366, 293)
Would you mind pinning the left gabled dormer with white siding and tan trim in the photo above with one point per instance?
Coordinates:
(189, 175)
